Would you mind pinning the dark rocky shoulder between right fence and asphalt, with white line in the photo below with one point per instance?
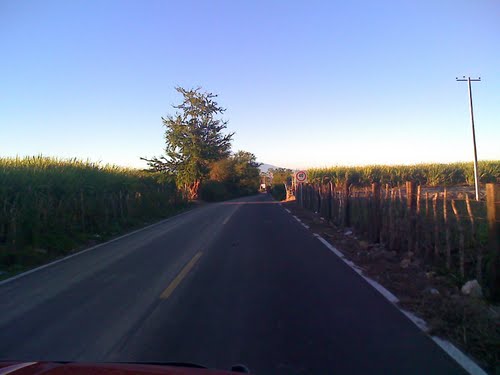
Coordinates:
(427, 299)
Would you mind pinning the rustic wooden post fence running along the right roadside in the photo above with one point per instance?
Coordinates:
(450, 233)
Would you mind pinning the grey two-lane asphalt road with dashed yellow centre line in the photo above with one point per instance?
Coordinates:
(232, 282)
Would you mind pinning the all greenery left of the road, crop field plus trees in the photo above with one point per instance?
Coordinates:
(50, 207)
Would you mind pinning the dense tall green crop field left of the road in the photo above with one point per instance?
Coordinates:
(51, 206)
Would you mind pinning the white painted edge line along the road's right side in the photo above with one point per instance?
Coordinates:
(463, 360)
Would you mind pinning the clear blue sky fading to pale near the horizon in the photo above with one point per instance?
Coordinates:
(309, 83)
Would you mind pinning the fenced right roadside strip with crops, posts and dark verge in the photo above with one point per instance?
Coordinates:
(417, 230)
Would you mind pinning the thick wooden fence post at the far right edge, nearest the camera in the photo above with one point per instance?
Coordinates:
(493, 214)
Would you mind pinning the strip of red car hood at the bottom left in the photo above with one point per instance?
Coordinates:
(55, 368)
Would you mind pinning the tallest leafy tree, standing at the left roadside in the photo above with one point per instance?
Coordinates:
(194, 140)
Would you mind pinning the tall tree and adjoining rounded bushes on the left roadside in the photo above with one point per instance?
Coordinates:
(198, 151)
